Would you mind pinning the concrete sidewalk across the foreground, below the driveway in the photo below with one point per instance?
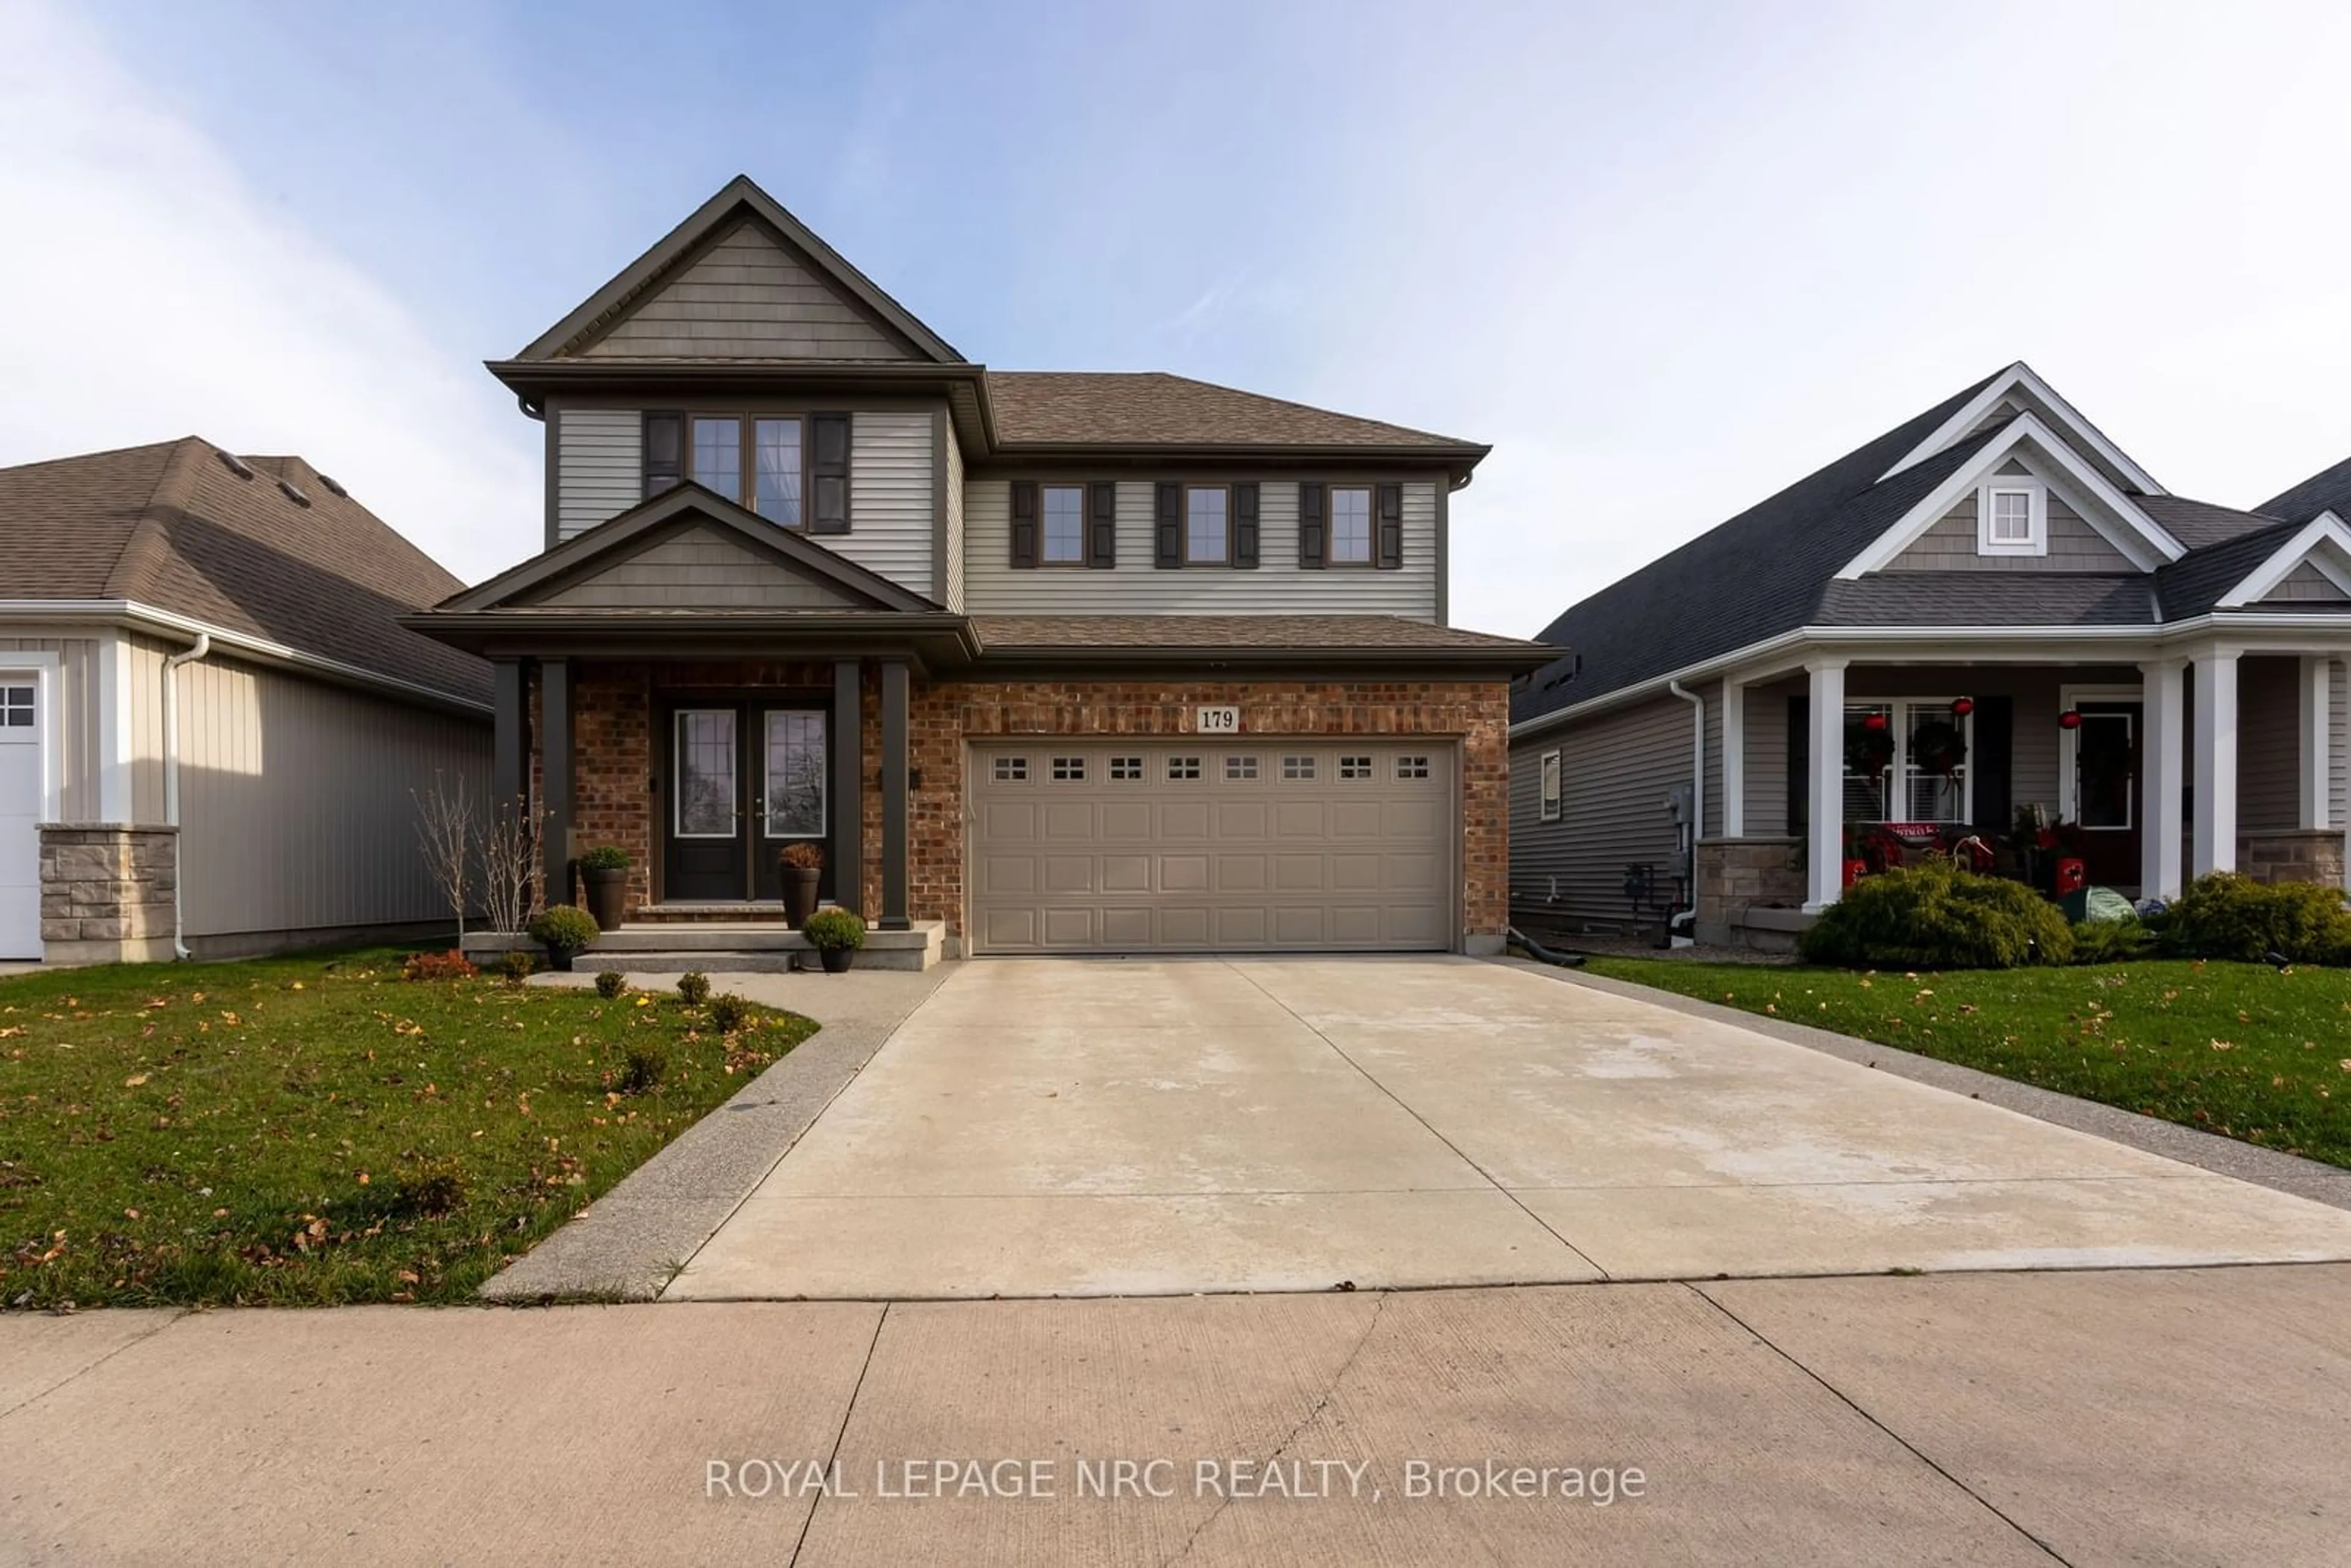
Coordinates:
(1962, 1419)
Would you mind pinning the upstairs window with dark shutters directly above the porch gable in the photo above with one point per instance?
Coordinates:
(758, 462)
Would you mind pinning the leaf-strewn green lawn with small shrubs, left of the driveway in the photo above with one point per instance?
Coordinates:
(316, 1130)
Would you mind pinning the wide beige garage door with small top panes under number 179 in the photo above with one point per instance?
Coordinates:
(1212, 845)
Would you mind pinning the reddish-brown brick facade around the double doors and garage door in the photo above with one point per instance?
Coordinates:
(617, 756)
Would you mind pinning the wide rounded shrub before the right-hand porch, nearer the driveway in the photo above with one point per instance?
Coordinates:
(1934, 916)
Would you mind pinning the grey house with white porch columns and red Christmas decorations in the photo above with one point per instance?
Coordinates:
(1985, 610)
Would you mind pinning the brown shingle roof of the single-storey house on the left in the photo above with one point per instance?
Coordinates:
(173, 528)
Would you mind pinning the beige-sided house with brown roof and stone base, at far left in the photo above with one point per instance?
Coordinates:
(210, 721)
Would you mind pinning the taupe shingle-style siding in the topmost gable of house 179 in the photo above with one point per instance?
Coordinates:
(749, 295)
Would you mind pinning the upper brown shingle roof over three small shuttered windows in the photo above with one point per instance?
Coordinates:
(1160, 410)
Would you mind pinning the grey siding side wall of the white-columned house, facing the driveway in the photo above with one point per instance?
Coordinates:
(1614, 775)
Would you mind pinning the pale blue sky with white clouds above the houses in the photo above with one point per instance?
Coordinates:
(1663, 257)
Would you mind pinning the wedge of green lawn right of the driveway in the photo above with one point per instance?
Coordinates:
(2235, 1050)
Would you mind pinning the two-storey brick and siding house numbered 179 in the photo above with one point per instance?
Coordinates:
(1043, 662)
